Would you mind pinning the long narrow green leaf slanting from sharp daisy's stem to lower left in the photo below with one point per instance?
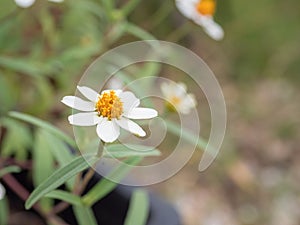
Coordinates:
(59, 177)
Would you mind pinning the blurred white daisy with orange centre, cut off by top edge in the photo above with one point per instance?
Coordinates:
(202, 12)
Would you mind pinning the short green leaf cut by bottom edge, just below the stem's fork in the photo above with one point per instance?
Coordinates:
(84, 215)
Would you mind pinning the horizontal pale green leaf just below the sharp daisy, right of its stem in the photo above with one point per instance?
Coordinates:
(122, 151)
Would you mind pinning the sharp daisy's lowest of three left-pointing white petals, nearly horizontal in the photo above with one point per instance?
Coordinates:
(85, 119)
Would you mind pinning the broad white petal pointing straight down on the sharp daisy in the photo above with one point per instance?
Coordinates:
(108, 131)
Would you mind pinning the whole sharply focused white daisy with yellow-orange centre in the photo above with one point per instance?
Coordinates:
(109, 110)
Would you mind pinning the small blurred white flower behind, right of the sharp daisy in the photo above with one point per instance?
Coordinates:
(177, 98)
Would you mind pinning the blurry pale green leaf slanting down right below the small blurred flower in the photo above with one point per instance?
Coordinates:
(185, 134)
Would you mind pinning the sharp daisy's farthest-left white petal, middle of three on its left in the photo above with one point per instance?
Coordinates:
(79, 104)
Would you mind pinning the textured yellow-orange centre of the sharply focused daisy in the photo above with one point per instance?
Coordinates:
(109, 105)
